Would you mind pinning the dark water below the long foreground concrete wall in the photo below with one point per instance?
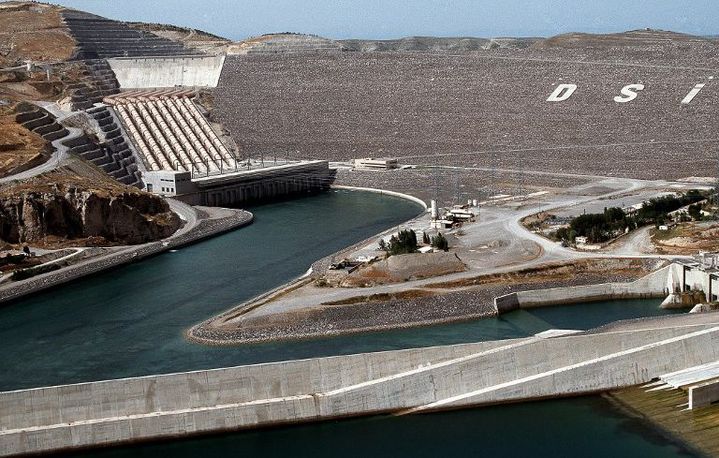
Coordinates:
(581, 427)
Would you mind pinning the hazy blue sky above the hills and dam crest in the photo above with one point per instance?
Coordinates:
(238, 19)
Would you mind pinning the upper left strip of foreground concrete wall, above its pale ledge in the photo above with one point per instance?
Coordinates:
(192, 390)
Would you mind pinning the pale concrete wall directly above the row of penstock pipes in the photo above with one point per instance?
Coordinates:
(154, 72)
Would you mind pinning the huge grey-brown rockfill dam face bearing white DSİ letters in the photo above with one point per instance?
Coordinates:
(488, 107)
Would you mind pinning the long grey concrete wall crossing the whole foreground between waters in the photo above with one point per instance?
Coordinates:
(402, 381)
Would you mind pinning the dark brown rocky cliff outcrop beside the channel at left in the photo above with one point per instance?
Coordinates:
(72, 213)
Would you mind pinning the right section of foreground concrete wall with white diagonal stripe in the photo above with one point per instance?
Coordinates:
(510, 374)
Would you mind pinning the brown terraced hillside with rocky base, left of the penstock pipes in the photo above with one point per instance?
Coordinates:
(88, 193)
